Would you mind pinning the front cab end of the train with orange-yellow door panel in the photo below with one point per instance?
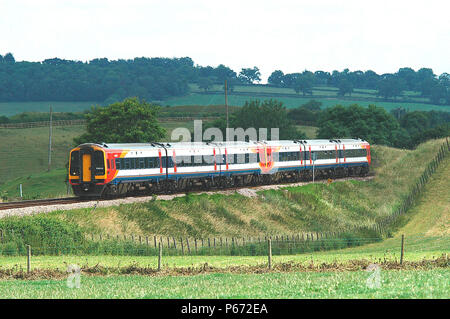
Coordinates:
(87, 170)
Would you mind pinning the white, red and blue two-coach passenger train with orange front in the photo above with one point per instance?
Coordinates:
(111, 169)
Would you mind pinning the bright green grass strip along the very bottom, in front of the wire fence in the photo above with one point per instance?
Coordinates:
(393, 284)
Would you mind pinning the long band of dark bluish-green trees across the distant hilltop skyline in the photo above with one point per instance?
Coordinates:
(155, 79)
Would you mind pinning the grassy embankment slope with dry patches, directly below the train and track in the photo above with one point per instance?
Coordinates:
(343, 206)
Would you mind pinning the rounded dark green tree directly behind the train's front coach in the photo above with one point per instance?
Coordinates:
(129, 121)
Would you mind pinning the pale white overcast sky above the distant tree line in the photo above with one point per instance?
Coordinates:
(288, 35)
